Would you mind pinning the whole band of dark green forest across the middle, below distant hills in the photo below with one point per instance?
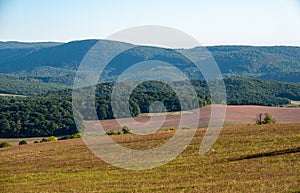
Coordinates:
(51, 113)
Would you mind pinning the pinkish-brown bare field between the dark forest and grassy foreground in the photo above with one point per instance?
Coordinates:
(235, 115)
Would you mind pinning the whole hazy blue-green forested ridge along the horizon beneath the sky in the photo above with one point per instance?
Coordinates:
(57, 62)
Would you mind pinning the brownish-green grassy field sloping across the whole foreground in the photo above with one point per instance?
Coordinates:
(244, 159)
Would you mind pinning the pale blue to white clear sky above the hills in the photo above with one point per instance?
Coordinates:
(211, 22)
